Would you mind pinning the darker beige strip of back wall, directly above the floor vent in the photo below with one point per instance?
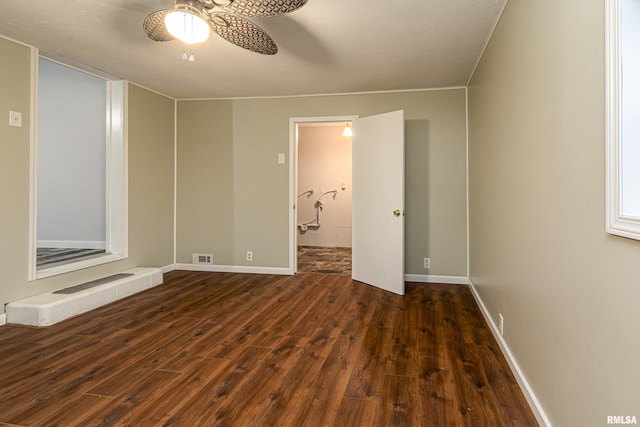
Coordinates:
(205, 181)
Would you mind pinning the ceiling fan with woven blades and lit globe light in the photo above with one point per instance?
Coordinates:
(192, 20)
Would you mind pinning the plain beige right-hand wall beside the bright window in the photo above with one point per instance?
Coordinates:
(539, 253)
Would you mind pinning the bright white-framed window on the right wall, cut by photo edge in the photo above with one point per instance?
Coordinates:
(623, 111)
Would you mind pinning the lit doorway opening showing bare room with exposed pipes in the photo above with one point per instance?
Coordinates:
(323, 223)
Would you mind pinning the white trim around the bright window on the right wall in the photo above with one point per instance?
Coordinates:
(617, 223)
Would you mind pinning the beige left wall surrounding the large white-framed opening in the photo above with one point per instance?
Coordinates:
(150, 183)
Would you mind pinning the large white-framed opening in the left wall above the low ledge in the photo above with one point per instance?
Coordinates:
(78, 199)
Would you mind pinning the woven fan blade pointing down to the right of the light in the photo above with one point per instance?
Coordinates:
(243, 33)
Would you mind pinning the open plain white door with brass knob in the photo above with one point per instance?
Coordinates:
(378, 201)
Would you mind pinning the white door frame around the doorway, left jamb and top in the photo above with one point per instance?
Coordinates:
(293, 178)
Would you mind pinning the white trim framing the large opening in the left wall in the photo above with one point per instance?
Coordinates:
(117, 181)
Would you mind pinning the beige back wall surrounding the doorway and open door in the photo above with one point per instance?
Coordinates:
(233, 196)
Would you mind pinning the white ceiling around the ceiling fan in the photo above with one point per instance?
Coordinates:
(327, 46)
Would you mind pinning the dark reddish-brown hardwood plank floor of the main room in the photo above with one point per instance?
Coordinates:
(224, 349)
